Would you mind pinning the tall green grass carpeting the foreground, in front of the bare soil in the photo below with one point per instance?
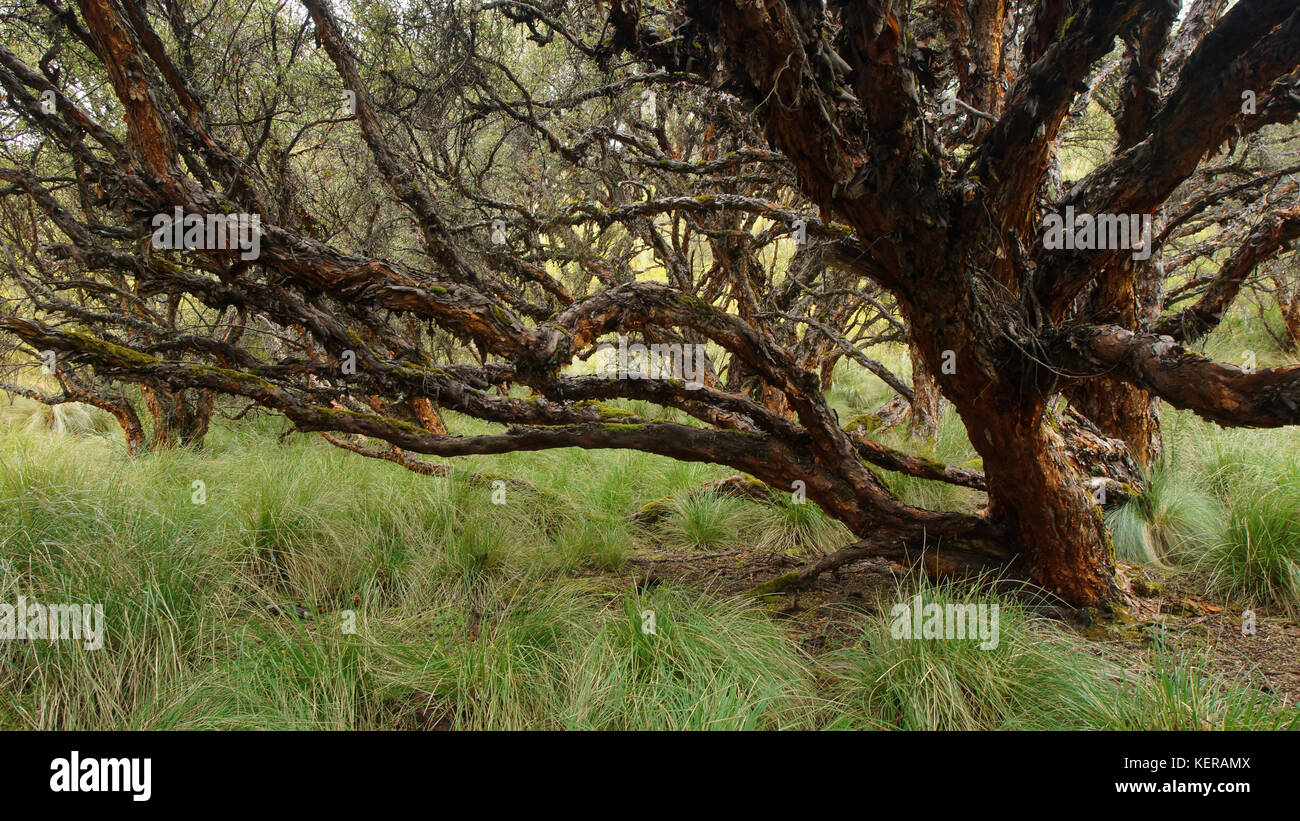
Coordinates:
(470, 615)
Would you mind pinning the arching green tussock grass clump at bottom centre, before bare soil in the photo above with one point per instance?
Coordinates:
(574, 657)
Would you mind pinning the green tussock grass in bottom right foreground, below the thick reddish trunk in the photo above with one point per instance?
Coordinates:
(1039, 677)
